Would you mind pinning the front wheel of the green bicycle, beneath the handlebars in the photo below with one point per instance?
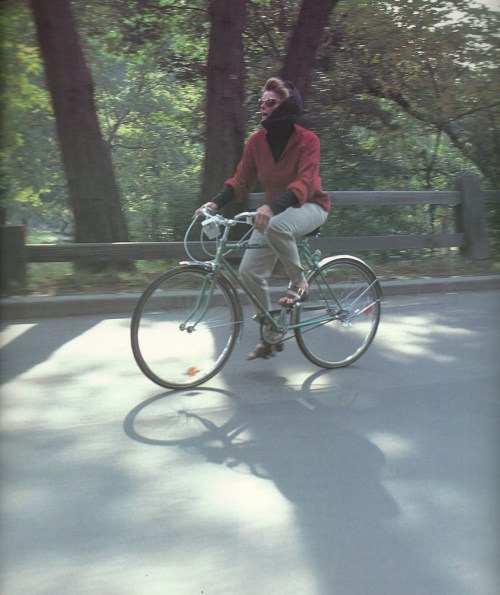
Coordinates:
(185, 326)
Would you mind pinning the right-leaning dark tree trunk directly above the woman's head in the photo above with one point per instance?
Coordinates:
(304, 42)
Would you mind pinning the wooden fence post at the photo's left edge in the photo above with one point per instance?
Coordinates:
(13, 256)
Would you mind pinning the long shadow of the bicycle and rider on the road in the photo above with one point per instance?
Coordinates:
(330, 473)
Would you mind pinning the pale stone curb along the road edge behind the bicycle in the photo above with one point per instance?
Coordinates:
(123, 303)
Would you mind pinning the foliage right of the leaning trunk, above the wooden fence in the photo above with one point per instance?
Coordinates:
(414, 90)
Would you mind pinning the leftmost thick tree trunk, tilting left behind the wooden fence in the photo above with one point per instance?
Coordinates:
(86, 159)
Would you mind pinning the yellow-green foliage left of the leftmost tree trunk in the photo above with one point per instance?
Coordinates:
(33, 187)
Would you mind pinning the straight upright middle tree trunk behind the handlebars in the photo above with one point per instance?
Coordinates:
(225, 128)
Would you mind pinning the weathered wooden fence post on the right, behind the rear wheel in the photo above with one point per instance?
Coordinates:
(472, 217)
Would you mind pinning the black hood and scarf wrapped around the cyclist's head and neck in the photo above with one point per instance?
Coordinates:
(279, 124)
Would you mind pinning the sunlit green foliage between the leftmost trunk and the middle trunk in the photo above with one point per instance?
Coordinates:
(151, 107)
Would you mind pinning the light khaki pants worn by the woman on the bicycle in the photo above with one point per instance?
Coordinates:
(280, 240)
